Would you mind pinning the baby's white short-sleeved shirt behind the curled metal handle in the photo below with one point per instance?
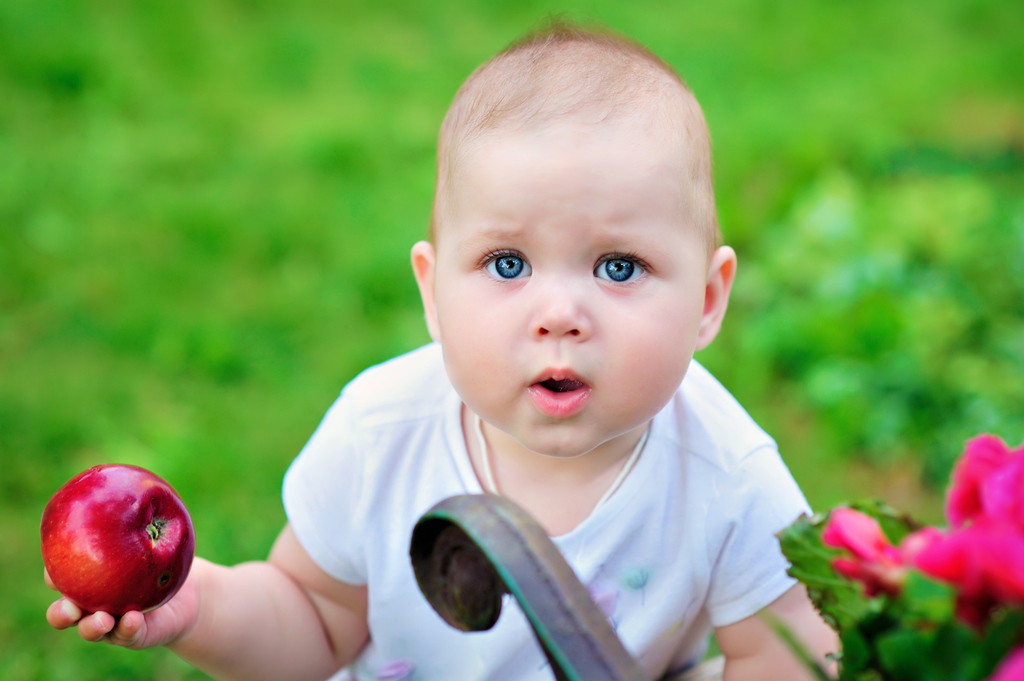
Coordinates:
(686, 544)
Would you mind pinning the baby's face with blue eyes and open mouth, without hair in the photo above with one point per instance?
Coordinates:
(569, 284)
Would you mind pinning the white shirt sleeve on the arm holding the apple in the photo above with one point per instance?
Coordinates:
(322, 495)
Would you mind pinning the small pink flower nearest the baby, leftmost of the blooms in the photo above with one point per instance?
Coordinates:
(876, 563)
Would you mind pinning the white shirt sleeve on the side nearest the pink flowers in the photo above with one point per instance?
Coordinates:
(749, 570)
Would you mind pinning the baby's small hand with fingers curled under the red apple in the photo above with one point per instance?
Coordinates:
(134, 630)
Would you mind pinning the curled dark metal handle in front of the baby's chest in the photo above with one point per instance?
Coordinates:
(471, 550)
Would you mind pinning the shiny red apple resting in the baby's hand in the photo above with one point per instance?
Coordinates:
(117, 538)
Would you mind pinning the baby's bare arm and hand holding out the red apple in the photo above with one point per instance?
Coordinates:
(284, 619)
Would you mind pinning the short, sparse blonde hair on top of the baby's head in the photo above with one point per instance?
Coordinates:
(564, 71)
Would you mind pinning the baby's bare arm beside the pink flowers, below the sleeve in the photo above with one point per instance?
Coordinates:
(754, 653)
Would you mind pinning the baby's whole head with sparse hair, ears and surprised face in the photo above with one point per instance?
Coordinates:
(575, 265)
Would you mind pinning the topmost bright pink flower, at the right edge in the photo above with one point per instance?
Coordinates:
(989, 480)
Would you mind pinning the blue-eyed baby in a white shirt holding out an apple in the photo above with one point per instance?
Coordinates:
(574, 269)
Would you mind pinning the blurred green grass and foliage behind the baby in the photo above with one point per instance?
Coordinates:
(206, 210)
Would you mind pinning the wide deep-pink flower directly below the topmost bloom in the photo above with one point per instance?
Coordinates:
(985, 561)
